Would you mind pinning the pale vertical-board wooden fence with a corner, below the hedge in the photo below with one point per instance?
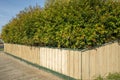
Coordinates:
(83, 65)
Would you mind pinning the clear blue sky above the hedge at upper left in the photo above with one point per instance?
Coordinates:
(9, 8)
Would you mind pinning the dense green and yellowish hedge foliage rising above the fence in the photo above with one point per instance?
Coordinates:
(74, 24)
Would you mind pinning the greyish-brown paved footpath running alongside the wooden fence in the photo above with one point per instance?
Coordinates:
(13, 69)
